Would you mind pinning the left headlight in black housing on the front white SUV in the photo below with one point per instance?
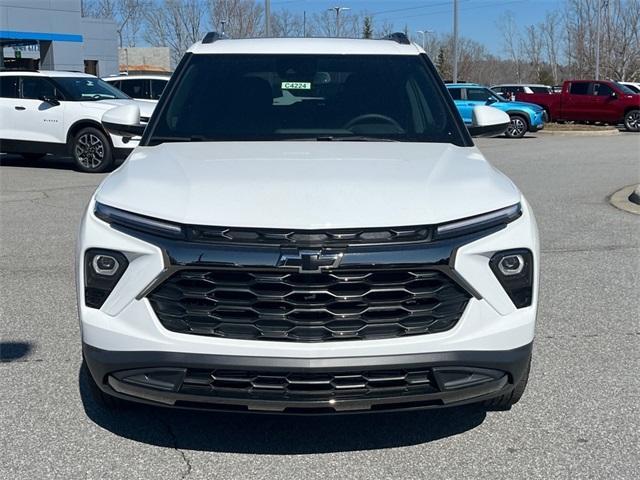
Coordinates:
(102, 271)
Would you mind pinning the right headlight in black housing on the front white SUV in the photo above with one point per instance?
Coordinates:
(514, 271)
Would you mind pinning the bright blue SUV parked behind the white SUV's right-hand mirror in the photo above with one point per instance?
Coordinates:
(525, 117)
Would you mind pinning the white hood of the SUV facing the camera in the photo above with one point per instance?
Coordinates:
(307, 185)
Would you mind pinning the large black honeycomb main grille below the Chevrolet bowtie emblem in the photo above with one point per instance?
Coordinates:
(309, 307)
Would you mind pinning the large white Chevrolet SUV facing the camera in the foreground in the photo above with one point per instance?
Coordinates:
(307, 227)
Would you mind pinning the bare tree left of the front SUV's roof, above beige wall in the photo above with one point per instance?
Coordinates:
(176, 24)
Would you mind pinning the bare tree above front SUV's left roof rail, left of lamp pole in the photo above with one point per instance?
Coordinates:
(242, 18)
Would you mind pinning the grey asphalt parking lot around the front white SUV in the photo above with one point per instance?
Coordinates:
(579, 418)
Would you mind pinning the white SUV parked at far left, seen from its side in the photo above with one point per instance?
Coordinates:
(60, 112)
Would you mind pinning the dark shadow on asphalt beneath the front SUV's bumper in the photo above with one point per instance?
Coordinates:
(279, 435)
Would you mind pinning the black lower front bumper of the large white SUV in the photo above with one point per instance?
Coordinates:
(182, 380)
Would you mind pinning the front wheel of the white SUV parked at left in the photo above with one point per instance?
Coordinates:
(91, 151)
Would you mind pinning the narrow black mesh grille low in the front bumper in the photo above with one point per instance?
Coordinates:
(309, 386)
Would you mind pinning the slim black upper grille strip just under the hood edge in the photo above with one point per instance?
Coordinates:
(306, 238)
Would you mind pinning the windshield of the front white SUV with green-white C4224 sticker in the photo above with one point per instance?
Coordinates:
(305, 97)
